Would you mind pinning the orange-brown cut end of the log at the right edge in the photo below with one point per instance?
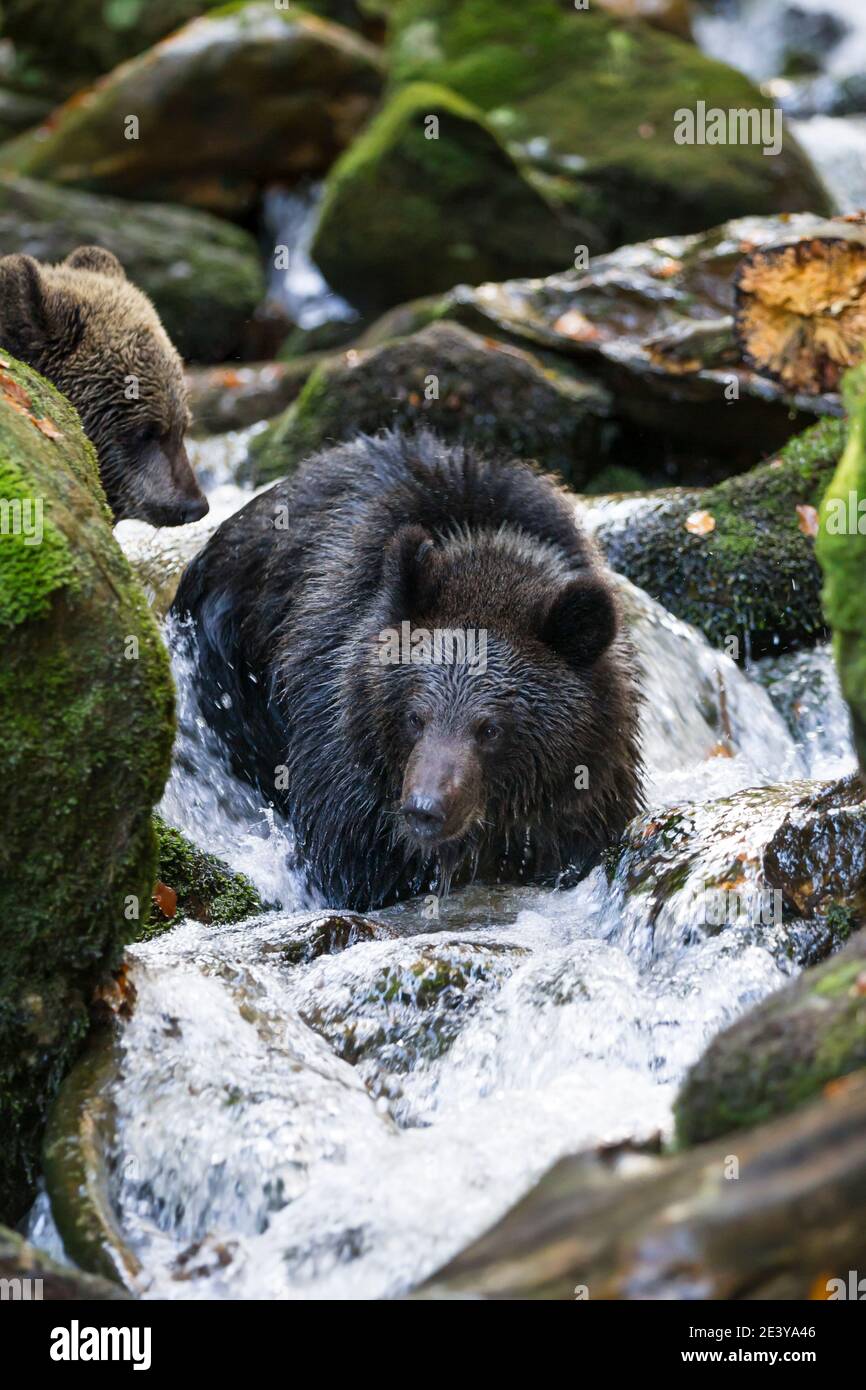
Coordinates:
(801, 311)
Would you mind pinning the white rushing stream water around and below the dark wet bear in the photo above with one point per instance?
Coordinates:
(340, 1128)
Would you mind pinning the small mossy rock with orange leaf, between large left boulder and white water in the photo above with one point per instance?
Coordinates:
(202, 885)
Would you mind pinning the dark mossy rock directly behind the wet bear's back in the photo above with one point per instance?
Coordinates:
(498, 398)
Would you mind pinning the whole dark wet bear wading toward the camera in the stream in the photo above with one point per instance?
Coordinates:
(404, 778)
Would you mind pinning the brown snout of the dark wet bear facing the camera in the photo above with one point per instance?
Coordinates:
(441, 790)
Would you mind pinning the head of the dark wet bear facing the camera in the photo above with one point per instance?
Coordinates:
(496, 679)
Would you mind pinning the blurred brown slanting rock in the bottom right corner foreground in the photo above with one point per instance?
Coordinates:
(630, 1227)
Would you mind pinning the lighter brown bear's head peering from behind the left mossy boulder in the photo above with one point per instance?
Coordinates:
(101, 341)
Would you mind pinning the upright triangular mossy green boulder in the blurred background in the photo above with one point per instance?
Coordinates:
(429, 197)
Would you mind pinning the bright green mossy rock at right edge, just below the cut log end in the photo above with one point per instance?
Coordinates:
(842, 550)
